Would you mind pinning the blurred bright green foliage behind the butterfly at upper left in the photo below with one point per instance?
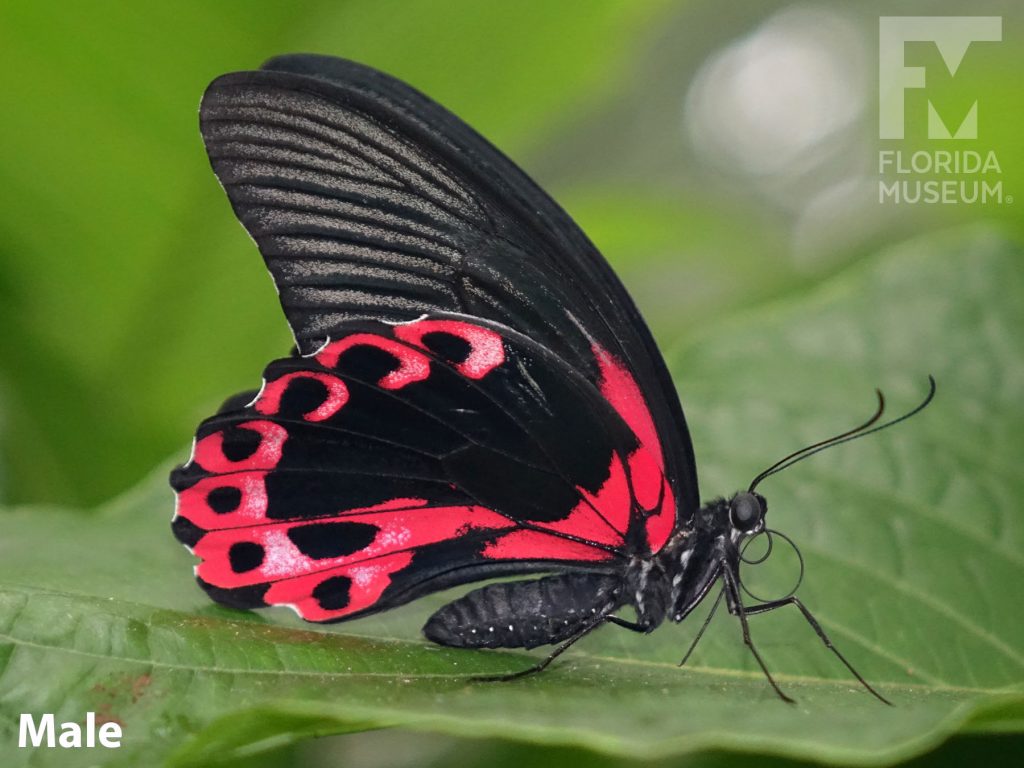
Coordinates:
(131, 301)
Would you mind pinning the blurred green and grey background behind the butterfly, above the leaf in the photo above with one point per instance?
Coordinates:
(720, 155)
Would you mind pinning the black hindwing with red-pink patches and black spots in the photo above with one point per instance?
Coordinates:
(401, 459)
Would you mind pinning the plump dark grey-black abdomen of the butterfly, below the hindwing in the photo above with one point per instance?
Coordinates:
(525, 615)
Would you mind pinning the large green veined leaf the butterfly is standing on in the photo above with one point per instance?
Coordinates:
(913, 542)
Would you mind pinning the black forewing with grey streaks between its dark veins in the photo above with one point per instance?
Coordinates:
(369, 201)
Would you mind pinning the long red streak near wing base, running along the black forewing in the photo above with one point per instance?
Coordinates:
(647, 464)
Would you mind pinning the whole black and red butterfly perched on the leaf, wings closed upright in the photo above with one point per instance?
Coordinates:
(473, 393)
